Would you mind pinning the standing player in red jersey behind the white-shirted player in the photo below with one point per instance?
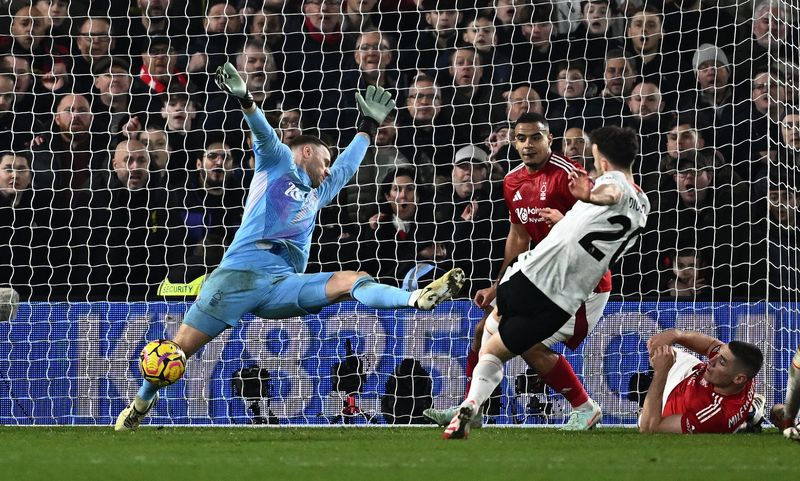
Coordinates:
(537, 196)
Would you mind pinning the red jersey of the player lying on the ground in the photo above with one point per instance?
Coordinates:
(704, 411)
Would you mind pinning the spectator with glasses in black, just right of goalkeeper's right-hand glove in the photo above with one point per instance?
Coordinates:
(425, 131)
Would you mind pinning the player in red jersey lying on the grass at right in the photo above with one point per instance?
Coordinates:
(690, 396)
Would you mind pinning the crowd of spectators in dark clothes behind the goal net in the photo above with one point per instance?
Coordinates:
(122, 163)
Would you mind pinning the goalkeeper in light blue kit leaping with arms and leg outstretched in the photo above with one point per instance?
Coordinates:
(262, 270)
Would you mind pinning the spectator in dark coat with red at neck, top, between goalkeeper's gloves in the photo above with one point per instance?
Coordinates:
(314, 49)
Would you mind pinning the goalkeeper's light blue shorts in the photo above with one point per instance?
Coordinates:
(229, 294)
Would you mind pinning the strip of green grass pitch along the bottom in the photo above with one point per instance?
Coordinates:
(87, 453)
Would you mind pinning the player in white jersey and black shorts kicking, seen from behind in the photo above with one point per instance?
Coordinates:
(547, 285)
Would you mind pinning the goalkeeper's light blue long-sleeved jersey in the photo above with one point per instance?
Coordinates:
(282, 206)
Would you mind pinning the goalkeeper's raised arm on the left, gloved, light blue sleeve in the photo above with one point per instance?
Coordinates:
(266, 143)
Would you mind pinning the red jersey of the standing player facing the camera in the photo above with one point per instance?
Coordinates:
(525, 193)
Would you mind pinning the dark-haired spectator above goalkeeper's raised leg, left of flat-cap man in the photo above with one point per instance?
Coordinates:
(402, 233)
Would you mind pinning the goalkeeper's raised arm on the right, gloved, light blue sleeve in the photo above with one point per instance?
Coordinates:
(375, 105)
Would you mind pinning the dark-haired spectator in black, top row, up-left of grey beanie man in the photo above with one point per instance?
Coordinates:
(654, 60)
